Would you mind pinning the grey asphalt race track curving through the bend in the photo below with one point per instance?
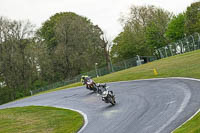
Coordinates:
(144, 106)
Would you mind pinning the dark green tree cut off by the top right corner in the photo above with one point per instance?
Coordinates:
(192, 23)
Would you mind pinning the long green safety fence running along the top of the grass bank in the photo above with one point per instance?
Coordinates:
(186, 44)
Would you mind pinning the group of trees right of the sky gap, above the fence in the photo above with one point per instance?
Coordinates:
(146, 28)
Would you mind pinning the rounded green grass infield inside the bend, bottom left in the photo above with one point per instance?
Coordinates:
(38, 119)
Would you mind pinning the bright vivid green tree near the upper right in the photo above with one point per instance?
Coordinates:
(175, 29)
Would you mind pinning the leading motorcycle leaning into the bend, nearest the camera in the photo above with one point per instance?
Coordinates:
(108, 97)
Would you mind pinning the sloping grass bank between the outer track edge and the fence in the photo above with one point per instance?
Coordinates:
(185, 65)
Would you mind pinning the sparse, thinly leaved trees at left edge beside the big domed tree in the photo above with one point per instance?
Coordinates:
(17, 64)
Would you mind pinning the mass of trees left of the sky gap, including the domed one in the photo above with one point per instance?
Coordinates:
(64, 46)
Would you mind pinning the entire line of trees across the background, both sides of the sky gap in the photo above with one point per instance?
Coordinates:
(68, 44)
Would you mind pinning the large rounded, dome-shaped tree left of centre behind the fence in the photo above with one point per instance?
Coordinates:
(74, 44)
